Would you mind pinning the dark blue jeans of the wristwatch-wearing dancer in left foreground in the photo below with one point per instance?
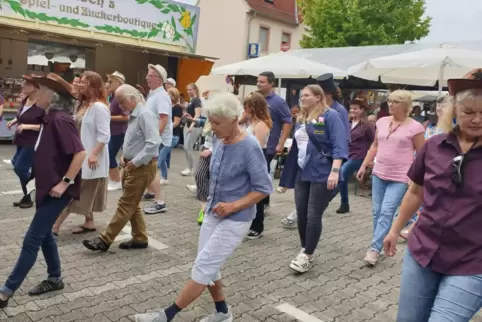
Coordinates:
(38, 235)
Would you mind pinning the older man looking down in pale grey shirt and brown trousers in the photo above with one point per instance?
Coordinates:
(139, 158)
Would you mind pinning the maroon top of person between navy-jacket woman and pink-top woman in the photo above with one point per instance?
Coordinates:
(362, 136)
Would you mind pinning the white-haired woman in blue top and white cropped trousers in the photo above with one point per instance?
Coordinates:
(239, 180)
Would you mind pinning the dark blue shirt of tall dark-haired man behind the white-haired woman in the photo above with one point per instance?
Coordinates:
(280, 114)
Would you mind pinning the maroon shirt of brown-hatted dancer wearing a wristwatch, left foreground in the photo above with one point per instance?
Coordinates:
(59, 140)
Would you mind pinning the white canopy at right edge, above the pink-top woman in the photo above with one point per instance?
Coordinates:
(423, 67)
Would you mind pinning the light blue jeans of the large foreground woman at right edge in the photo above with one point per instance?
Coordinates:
(428, 296)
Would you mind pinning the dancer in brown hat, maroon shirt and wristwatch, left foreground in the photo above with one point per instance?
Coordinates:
(57, 163)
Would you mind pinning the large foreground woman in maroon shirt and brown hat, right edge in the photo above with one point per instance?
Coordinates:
(442, 268)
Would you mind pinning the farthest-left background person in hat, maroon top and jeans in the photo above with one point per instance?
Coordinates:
(28, 120)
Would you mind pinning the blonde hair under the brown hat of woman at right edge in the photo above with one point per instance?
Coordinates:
(450, 106)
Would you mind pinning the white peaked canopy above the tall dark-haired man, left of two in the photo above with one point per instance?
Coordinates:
(282, 65)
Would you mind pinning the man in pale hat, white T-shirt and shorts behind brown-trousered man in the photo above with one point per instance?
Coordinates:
(159, 102)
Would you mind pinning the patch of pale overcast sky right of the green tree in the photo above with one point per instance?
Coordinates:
(454, 20)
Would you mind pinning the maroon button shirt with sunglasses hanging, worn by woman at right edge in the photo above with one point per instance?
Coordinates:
(447, 236)
